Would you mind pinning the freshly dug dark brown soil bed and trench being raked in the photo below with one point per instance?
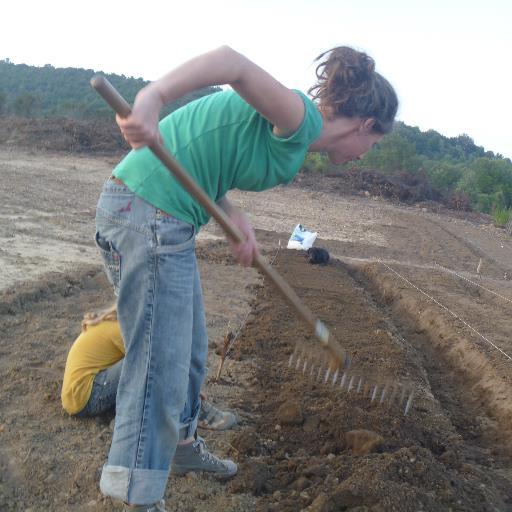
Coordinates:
(451, 452)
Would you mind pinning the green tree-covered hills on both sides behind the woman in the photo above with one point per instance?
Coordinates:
(455, 167)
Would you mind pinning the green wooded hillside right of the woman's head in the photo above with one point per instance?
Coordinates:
(453, 170)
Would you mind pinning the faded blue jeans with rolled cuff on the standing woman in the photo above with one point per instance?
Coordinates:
(150, 261)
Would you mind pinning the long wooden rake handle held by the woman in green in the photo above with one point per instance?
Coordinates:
(123, 109)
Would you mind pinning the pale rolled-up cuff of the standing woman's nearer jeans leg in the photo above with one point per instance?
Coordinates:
(133, 486)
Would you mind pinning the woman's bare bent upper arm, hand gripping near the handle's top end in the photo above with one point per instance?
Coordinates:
(282, 107)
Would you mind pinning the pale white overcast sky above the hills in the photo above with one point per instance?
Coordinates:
(450, 60)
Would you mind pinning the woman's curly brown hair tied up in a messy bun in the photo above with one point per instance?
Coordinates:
(348, 85)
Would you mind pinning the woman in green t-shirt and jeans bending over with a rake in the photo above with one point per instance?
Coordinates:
(252, 137)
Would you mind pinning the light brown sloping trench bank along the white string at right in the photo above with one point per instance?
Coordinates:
(472, 389)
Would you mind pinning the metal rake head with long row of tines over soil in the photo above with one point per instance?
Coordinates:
(321, 369)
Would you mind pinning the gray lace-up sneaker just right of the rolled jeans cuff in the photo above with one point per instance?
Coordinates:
(196, 457)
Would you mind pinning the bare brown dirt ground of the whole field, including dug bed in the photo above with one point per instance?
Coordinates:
(401, 294)
